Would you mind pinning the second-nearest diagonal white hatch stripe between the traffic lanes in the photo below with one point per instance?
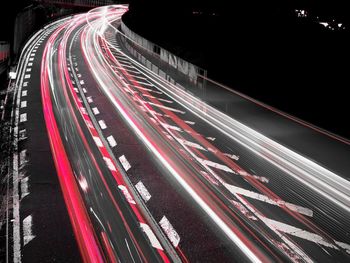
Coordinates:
(263, 198)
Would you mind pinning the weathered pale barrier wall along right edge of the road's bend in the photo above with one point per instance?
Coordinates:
(183, 66)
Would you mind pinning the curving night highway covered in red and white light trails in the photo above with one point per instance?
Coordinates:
(144, 171)
